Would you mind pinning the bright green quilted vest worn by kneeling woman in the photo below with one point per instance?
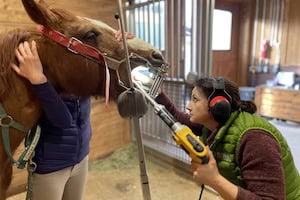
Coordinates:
(225, 148)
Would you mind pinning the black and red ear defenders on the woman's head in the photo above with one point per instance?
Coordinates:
(219, 102)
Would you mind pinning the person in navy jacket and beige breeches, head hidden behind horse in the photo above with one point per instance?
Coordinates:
(62, 151)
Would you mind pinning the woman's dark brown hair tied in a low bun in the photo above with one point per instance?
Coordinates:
(206, 85)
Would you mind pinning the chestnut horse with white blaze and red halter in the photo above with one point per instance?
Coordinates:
(80, 56)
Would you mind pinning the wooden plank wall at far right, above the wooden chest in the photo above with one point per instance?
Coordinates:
(286, 32)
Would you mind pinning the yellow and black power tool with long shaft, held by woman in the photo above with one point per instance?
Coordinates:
(182, 134)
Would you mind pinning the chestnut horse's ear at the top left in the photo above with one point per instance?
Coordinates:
(39, 12)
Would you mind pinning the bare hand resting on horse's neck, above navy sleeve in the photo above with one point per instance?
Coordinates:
(30, 66)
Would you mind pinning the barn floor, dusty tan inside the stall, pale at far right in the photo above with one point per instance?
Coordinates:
(118, 176)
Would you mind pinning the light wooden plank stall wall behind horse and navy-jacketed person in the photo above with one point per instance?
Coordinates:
(110, 131)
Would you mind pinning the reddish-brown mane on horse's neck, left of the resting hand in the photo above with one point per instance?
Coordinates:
(8, 43)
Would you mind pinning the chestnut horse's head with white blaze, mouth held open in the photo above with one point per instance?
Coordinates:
(81, 74)
